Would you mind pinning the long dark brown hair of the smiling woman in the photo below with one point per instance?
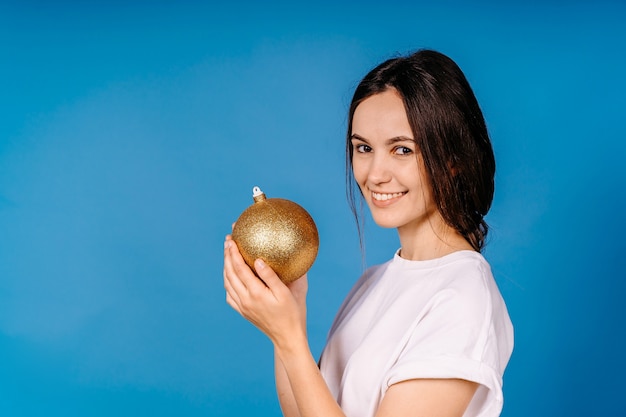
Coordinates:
(449, 130)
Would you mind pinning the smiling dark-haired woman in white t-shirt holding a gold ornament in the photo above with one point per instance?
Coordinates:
(427, 333)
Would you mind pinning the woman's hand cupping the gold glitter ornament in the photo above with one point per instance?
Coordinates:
(276, 309)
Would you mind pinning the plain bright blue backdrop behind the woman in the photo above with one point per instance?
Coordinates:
(131, 134)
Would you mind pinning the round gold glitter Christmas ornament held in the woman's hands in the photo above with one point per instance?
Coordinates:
(280, 232)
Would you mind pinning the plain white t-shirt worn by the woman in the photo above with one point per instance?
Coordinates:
(440, 318)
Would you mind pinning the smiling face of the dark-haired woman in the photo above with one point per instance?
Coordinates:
(387, 165)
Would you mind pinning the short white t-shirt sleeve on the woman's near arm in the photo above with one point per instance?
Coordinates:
(455, 338)
